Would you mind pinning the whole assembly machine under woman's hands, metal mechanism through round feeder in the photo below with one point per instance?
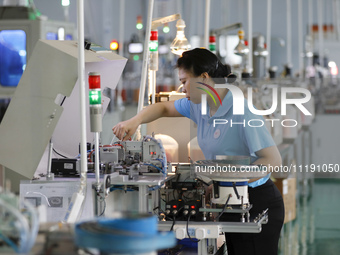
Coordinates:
(182, 198)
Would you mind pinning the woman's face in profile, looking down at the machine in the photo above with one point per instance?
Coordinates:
(188, 80)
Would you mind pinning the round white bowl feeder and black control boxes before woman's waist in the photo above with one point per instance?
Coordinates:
(188, 196)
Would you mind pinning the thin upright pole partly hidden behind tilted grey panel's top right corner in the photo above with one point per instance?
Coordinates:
(121, 47)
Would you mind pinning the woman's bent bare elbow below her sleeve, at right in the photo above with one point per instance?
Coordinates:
(268, 156)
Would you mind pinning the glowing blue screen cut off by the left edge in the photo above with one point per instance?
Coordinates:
(12, 56)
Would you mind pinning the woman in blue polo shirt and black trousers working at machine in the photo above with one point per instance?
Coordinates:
(199, 69)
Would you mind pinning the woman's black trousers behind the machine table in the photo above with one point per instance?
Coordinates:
(265, 242)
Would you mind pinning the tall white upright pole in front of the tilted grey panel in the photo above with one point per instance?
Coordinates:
(82, 92)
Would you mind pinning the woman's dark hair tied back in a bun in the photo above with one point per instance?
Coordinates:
(200, 60)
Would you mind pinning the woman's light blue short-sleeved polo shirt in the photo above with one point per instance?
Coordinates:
(231, 134)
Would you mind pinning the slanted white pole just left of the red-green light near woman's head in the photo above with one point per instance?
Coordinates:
(145, 58)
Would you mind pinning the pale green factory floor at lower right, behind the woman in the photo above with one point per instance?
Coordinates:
(316, 229)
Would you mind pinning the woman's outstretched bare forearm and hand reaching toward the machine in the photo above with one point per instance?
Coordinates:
(125, 129)
